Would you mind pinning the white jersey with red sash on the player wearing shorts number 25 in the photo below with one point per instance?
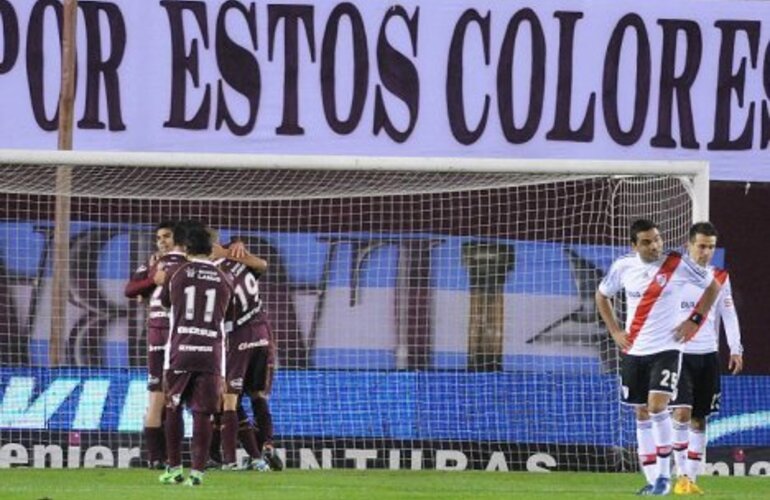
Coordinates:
(653, 296)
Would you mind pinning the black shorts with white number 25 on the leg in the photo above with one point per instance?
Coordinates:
(641, 375)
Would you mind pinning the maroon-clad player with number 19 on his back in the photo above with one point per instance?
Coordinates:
(249, 355)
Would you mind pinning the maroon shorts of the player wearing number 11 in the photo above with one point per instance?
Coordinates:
(199, 391)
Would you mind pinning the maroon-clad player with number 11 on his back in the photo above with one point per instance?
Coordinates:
(198, 295)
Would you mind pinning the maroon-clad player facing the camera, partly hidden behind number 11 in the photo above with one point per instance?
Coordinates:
(142, 286)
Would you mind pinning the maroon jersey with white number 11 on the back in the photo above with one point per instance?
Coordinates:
(198, 295)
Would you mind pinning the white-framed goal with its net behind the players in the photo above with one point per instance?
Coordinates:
(428, 313)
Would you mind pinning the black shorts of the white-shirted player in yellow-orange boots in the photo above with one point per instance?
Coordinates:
(699, 384)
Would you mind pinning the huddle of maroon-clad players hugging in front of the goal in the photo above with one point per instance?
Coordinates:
(209, 346)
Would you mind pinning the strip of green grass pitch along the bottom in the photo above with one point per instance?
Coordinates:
(130, 484)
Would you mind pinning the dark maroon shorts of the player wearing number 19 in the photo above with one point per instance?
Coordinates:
(250, 359)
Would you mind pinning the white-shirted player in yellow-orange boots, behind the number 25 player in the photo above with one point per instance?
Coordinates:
(699, 389)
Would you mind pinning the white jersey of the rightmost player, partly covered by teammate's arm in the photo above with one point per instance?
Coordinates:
(706, 339)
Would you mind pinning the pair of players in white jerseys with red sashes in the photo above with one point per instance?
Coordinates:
(670, 343)
